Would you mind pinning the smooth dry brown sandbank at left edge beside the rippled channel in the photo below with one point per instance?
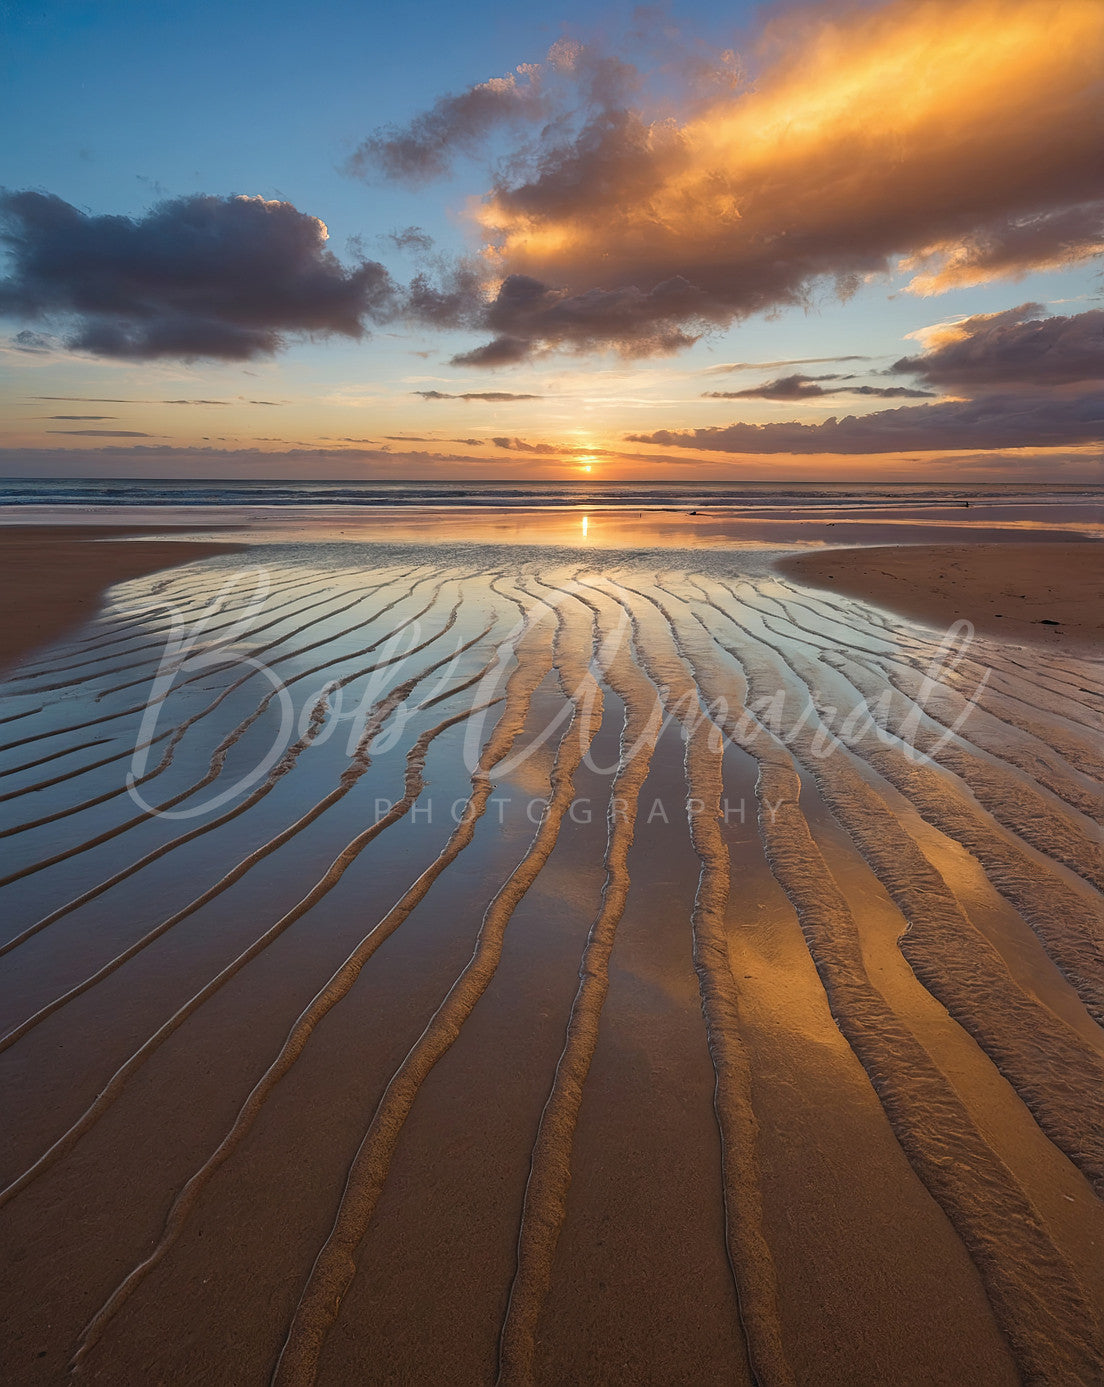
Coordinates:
(62, 574)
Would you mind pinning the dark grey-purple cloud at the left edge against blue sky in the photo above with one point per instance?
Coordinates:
(198, 277)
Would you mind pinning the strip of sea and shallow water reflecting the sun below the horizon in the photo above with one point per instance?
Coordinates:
(589, 515)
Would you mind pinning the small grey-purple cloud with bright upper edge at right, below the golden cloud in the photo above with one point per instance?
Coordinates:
(1017, 347)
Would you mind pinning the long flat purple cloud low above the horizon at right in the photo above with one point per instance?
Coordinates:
(1008, 421)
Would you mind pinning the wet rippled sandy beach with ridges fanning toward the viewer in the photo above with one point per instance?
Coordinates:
(494, 963)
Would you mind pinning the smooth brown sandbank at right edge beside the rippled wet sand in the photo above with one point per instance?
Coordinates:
(1049, 596)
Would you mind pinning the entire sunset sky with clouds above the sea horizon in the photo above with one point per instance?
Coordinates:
(694, 241)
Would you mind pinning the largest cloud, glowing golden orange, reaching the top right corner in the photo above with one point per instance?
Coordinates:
(959, 135)
